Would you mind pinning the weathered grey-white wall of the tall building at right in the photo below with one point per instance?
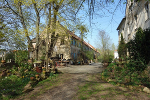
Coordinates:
(137, 15)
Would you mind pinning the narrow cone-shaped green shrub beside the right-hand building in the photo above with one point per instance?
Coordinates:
(122, 50)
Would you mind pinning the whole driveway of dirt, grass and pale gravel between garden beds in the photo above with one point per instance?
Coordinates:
(81, 84)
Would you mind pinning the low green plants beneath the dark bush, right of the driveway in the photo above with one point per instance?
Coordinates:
(131, 74)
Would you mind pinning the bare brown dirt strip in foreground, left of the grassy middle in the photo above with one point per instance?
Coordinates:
(66, 91)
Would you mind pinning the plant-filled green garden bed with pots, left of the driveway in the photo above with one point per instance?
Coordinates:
(20, 76)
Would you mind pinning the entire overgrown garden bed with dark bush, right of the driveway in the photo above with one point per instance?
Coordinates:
(132, 70)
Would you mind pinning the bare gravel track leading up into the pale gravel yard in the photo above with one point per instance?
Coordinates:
(68, 90)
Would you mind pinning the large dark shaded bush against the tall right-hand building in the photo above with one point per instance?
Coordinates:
(139, 47)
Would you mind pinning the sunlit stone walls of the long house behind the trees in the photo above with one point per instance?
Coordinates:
(68, 44)
